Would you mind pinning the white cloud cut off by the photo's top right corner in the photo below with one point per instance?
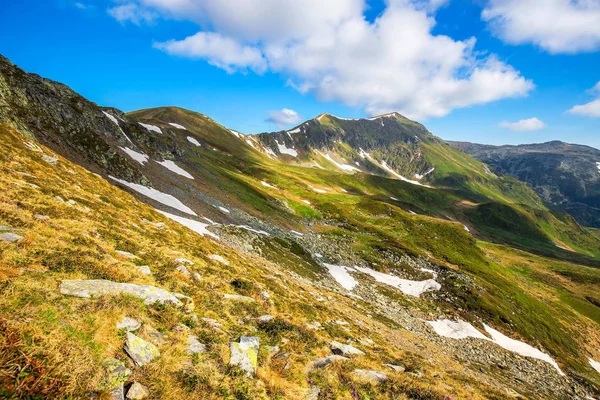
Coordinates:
(557, 26)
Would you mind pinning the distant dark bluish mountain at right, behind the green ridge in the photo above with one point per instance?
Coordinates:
(566, 176)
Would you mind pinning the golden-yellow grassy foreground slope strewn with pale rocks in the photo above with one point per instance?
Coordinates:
(56, 344)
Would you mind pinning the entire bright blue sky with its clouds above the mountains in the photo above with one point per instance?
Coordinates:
(457, 66)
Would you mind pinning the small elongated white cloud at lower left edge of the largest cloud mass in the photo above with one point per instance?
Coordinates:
(220, 51)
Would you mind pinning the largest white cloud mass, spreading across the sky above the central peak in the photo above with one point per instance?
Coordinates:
(328, 48)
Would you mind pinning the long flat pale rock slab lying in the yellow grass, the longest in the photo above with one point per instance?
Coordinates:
(100, 287)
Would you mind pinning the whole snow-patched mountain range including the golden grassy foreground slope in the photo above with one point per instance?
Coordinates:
(159, 252)
